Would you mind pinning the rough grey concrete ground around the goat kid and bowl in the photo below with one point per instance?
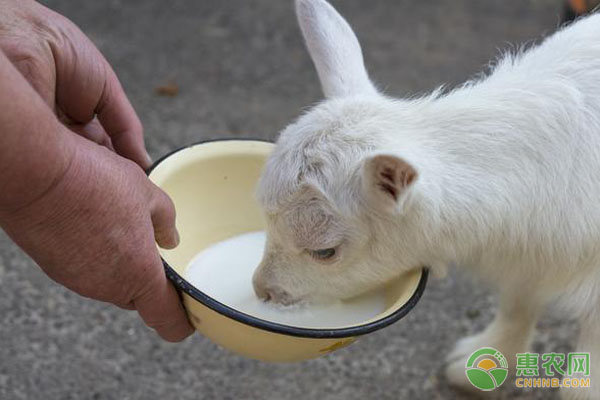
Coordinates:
(243, 72)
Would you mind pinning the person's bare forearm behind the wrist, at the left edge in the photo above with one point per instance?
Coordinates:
(35, 150)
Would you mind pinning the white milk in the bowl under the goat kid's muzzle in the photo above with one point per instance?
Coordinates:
(224, 272)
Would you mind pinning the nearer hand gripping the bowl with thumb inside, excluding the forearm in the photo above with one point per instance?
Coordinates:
(92, 232)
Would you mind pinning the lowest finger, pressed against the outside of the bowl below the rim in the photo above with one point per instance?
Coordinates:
(161, 309)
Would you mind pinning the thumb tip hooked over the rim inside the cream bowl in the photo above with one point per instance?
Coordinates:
(163, 220)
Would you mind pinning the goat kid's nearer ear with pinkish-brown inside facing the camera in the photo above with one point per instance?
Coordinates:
(386, 179)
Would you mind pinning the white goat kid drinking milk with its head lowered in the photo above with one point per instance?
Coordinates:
(500, 177)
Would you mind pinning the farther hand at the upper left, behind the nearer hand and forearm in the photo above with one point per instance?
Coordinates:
(71, 76)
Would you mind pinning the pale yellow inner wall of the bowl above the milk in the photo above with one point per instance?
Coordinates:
(213, 188)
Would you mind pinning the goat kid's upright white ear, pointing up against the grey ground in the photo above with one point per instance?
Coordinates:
(334, 49)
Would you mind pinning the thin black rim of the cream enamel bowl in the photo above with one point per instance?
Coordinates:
(275, 327)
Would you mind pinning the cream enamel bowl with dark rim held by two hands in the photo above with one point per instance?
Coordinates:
(212, 185)
